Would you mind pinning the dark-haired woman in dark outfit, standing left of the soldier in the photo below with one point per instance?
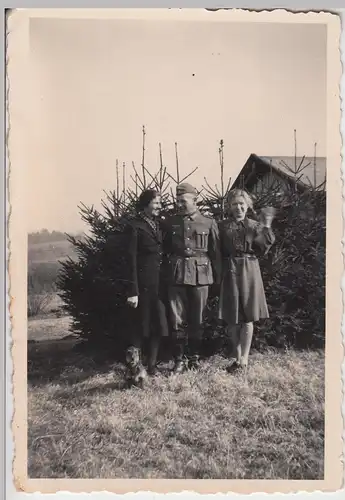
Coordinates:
(144, 264)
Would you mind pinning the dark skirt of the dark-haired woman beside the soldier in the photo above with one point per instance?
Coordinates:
(150, 314)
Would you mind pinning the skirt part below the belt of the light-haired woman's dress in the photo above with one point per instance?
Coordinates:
(242, 296)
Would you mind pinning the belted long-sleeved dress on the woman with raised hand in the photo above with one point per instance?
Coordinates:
(242, 295)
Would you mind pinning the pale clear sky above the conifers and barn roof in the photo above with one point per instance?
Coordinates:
(95, 83)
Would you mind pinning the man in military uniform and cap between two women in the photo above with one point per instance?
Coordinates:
(191, 245)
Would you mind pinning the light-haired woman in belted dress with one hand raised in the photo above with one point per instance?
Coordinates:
(242, 296)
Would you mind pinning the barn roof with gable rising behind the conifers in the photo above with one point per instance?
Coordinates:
(313, 171)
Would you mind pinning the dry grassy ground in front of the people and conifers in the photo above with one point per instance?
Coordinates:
(83, 423)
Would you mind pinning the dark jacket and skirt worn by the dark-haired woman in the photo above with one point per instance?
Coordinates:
(144, 265)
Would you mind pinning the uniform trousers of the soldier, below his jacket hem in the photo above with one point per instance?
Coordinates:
(187, 304)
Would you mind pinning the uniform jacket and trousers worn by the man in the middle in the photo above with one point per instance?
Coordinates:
(191, 244)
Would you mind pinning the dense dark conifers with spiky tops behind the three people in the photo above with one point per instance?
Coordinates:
(93, 286)
